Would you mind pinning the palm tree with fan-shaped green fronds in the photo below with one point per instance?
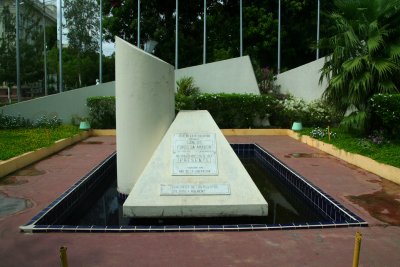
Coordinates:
(363, 55)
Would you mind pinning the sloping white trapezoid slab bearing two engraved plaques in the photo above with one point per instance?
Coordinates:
(169, 188)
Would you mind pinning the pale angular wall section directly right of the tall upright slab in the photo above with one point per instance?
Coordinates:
(234, 75)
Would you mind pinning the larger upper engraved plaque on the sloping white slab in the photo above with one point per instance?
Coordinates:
(194, 154)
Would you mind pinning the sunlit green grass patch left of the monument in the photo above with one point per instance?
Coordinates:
(19, 141)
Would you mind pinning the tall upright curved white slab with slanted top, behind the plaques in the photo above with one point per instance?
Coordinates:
(145, 108)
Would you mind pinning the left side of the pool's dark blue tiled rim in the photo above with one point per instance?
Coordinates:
(70, 197)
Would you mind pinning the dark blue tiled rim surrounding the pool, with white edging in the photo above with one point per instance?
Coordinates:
(337, 215)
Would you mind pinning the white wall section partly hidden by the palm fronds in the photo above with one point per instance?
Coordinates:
(303, 82)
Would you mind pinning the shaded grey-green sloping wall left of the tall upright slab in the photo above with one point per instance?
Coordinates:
(64, 105)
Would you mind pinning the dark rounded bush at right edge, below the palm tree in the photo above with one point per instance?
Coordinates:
(385, 109)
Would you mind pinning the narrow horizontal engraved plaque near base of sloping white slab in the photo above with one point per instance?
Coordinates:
(194, 189)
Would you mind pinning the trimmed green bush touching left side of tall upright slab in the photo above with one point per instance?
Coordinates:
(102, 112)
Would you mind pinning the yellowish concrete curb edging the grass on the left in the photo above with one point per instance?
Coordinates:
(18, 162)
